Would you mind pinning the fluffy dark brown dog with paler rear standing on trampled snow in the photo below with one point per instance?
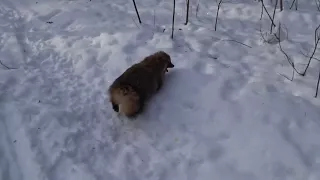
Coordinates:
(129, 92)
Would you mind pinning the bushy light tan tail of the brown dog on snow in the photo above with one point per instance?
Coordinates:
(125, 100)
